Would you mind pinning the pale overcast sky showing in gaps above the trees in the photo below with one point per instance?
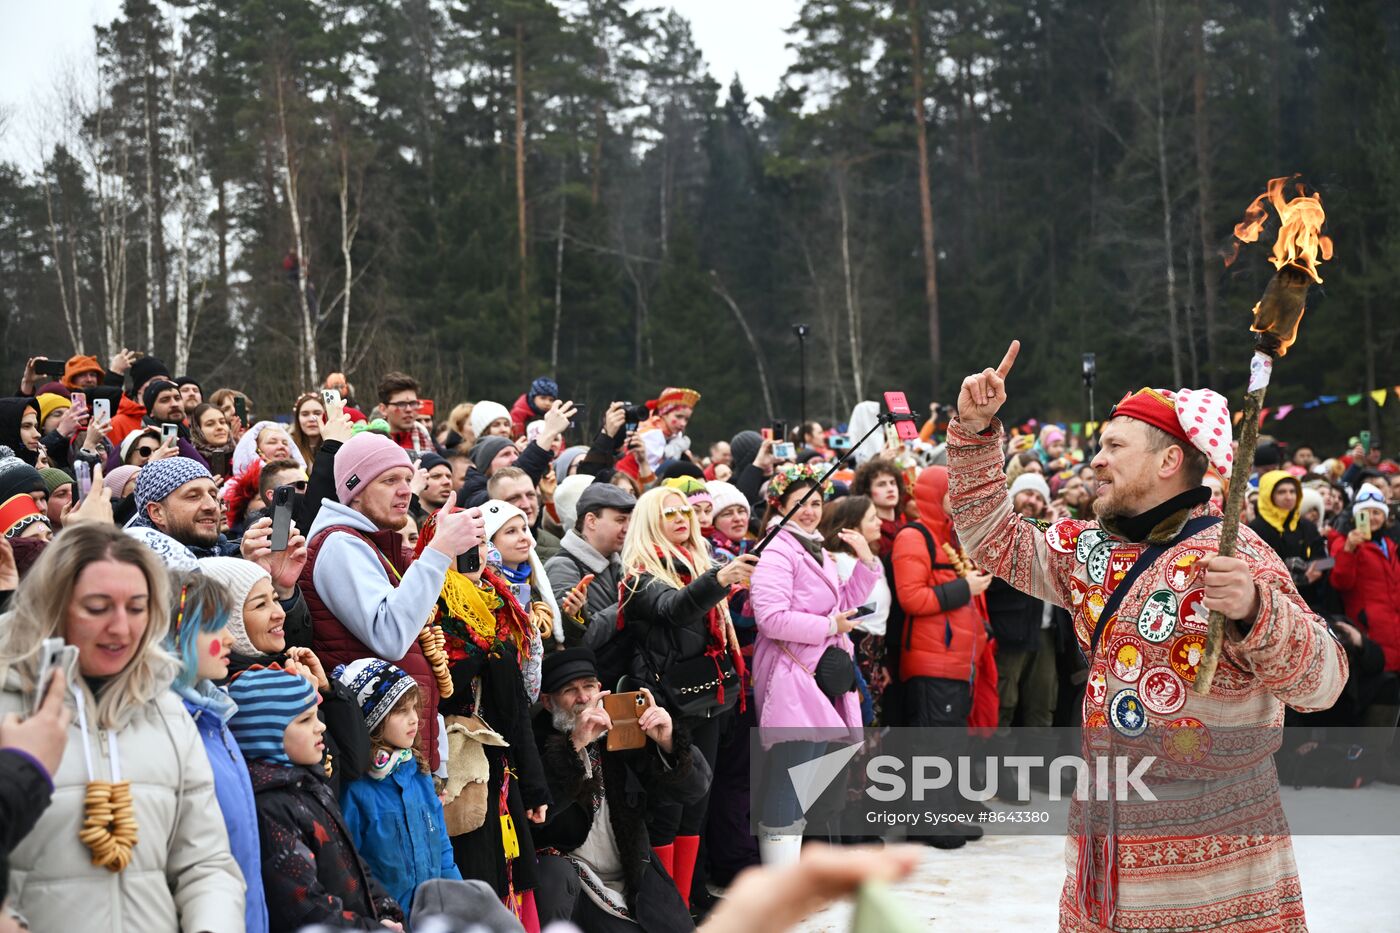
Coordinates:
(41, 37)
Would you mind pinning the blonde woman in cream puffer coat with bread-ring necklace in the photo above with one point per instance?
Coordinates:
(132, 753)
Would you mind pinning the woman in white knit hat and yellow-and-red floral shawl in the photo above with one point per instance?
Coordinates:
(492, 651)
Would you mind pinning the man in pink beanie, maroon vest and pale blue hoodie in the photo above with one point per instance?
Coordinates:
(366, 599)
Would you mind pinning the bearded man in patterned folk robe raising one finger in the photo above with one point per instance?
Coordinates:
(1140, 583)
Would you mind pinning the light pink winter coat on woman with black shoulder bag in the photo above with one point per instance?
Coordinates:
(793, 602)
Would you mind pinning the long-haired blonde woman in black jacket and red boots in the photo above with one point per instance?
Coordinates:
(674, 607)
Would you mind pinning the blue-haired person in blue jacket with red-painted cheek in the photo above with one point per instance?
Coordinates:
(199, 640)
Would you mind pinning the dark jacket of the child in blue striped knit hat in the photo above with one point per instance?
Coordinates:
(311, 869)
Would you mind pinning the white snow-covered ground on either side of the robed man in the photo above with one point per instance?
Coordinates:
(1013, 883)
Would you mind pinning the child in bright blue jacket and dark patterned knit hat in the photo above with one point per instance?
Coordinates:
(394, 813)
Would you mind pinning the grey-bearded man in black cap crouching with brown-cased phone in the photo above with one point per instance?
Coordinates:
(596, 864)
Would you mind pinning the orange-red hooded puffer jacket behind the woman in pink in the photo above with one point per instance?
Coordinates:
(946, 631)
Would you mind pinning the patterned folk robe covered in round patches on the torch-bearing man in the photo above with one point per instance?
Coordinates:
(1244, 879)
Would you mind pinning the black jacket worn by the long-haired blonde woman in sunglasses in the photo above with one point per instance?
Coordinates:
(668, 624)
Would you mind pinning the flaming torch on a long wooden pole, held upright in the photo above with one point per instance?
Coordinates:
(1297, 251)
